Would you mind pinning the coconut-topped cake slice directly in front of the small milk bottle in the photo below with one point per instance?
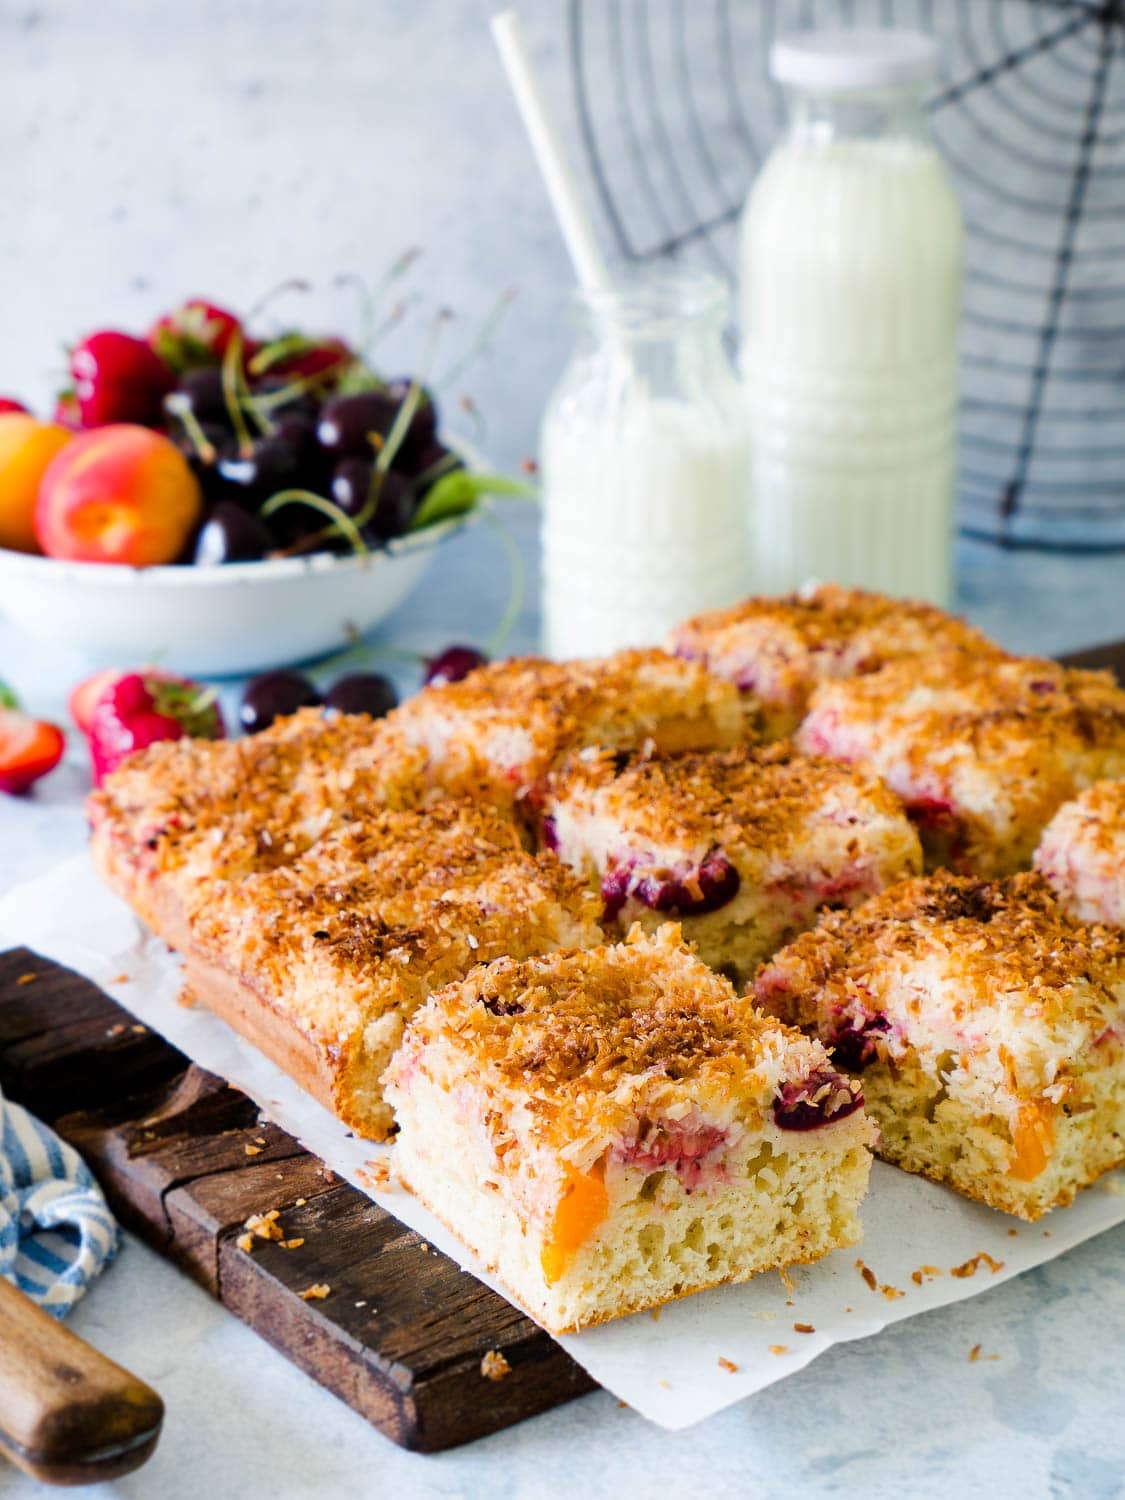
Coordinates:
(509, 724)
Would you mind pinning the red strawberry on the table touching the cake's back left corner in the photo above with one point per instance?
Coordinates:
(142, 709)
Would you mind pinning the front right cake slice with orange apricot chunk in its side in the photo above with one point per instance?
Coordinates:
(988, 1028)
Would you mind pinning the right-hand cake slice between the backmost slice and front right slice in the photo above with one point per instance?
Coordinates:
(983, 751)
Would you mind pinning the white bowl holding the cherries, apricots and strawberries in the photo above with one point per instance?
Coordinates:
(215, 622)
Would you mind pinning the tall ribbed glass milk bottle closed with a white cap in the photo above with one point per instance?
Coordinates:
(851, 275)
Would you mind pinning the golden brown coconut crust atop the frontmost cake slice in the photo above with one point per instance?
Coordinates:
(572, 1037)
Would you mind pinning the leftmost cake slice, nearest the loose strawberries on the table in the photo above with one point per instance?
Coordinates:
(184, 814)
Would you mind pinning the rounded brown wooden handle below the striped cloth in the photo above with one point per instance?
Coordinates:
(68, 1415)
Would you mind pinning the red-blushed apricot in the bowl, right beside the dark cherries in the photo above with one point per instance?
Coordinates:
(118, 494)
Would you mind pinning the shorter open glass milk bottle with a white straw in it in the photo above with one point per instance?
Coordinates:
(644, 470)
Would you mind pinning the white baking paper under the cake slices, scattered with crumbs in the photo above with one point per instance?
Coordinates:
(703, 1354)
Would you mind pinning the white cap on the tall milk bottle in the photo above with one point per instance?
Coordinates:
(842, 61)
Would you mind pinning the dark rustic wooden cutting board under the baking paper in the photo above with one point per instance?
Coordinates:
(185, 1162)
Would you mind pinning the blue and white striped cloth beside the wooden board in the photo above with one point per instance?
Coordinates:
(56, 1232)
